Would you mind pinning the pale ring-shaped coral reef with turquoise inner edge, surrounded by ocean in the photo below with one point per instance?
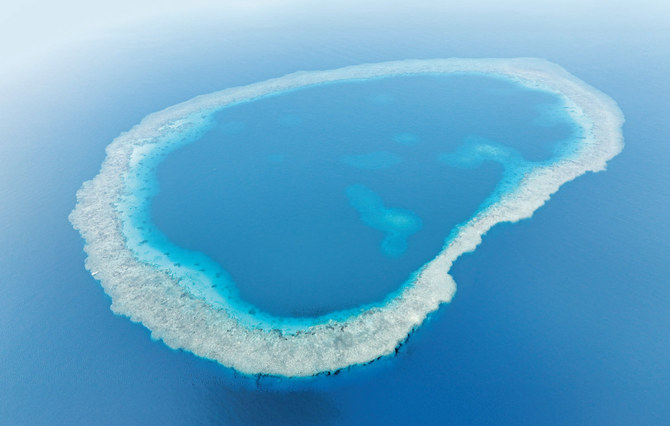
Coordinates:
(174, 301)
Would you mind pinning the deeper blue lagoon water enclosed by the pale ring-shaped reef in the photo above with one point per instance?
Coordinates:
(286, 231)
